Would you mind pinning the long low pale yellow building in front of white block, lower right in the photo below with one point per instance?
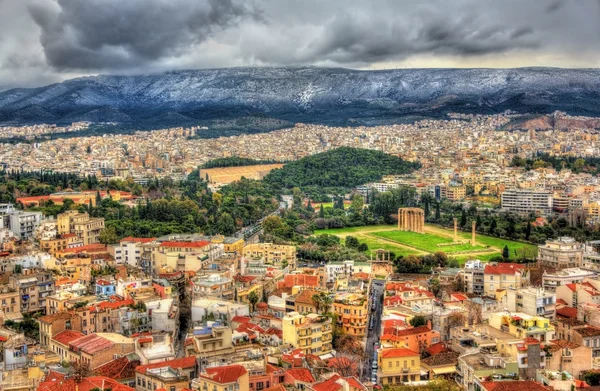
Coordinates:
(523, 326)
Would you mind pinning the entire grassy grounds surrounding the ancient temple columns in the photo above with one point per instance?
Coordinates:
(404, 243)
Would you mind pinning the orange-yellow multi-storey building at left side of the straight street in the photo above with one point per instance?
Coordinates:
(352, 313)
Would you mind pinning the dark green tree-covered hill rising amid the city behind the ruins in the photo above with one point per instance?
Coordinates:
(340, 168)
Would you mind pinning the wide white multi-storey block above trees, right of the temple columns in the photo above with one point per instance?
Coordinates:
(526, 201)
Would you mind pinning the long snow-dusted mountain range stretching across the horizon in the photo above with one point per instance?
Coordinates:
(255, 98)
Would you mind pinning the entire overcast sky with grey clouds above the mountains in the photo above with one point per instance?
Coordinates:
(44, 41)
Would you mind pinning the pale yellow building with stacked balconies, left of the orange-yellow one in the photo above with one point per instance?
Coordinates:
(311, 333)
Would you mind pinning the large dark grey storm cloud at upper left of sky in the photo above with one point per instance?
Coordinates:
(115, 34)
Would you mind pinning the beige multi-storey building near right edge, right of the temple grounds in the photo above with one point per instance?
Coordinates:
(561, 253)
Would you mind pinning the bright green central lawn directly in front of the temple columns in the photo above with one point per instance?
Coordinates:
(426, 242)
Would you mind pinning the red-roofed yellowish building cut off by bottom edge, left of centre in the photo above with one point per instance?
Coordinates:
(225, 378)
